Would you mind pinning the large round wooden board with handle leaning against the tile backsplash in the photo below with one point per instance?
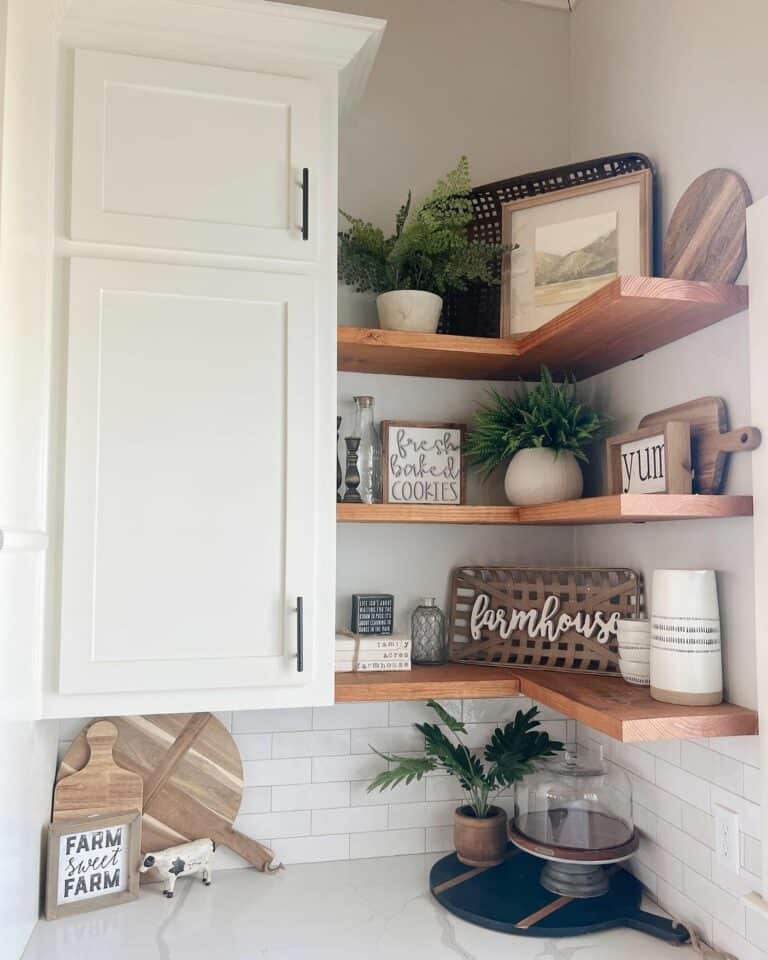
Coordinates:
(192, 775)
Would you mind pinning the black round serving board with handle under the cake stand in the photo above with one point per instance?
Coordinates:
(510, 899)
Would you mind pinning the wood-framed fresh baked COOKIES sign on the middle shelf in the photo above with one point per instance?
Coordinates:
(423, 462)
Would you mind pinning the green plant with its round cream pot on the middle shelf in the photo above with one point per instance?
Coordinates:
(543, 432)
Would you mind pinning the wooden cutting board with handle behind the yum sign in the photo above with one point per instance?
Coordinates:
(711, 440)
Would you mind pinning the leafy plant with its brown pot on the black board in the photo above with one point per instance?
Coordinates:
(480, 828)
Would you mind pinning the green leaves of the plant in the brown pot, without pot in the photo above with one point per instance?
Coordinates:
(509, 756)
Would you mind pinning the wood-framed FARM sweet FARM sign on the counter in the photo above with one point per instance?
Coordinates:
(92, 863)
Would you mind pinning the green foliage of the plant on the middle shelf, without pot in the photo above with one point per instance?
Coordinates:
(547, 415)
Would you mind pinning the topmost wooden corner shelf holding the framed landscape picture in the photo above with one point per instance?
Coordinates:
(628, 317)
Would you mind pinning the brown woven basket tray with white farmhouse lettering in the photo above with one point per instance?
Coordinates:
(562, 618)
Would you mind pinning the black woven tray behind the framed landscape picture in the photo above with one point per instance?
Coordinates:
(475, 312)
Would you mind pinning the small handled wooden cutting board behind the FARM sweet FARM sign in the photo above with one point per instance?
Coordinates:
(100, 786)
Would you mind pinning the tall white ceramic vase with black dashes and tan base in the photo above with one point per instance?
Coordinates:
(686, 652)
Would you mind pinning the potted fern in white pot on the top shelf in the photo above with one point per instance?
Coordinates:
(429, 254)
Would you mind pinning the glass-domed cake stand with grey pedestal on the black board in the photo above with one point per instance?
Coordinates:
(575, 812)
